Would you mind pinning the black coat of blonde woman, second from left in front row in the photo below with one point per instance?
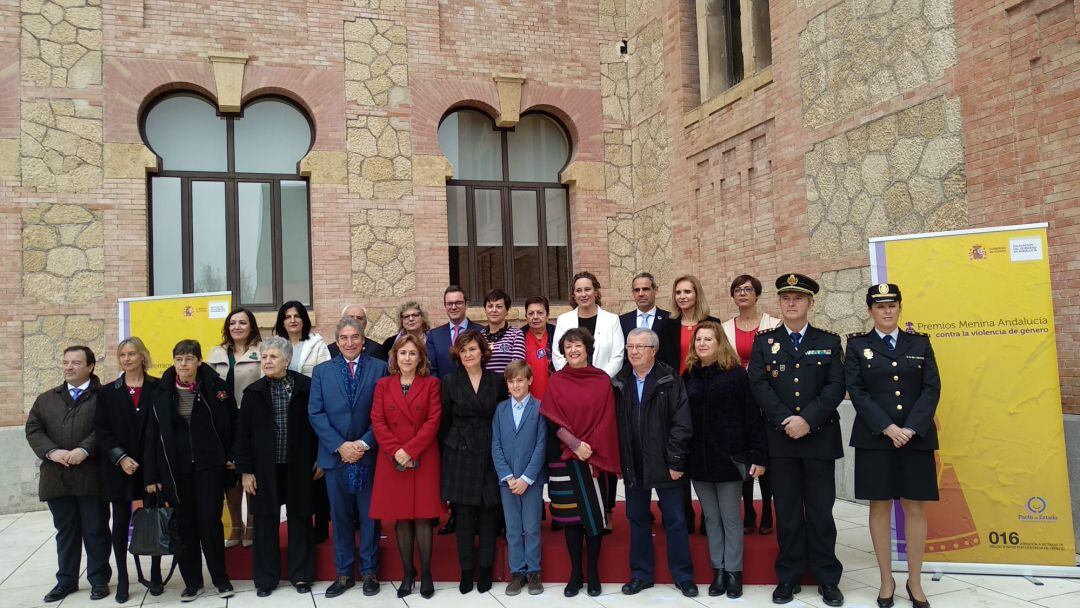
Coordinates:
(121, 430)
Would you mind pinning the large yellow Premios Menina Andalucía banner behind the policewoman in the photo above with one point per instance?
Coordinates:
(984, 299)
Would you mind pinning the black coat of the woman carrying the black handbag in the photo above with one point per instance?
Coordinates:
(205, 442)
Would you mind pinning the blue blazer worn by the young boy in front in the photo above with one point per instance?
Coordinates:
(521, 452)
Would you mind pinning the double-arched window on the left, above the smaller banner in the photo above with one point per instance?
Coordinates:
(229, 209)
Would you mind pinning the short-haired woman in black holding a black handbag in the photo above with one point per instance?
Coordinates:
(187, 454)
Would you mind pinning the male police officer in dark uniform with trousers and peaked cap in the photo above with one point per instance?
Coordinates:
(796, 374)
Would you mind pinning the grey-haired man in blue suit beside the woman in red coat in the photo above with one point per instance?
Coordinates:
(341, 412)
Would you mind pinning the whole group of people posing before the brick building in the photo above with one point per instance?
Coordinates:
(479, 418)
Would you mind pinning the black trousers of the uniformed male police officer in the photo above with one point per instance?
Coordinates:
(805, 491)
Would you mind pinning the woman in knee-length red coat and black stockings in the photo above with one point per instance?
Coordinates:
(406, 418)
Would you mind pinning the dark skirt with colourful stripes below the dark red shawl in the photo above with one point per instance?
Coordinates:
(575, 496)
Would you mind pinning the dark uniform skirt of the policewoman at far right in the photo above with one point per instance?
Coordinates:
(889, 475)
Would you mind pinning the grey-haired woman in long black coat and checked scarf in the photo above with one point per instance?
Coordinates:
(276, 456)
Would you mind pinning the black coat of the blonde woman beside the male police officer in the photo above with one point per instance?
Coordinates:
(727, 424)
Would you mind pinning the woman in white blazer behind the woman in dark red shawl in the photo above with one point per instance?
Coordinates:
(609, 344)
